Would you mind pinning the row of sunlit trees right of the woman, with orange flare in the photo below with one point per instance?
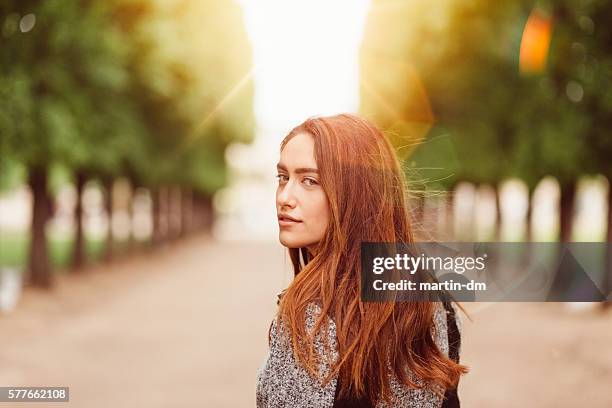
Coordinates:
(449, 82)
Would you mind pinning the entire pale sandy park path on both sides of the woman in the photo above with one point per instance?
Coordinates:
(186, 326)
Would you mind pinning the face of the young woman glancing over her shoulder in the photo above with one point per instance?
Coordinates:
(301, 203)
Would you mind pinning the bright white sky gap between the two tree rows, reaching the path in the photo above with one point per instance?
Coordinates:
(306, 57)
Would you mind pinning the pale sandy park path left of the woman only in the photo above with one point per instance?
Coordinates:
(181, 327)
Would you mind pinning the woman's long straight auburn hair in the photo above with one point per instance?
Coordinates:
(364, 184)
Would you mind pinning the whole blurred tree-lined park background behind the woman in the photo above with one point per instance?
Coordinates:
(139, 261)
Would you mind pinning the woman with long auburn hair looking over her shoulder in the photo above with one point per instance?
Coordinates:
(340, 184)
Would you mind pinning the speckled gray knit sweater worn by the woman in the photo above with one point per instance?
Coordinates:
(282, 382)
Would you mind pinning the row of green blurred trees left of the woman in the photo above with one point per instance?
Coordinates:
(148, 90)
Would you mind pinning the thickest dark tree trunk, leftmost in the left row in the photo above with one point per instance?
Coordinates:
(39, 267)
